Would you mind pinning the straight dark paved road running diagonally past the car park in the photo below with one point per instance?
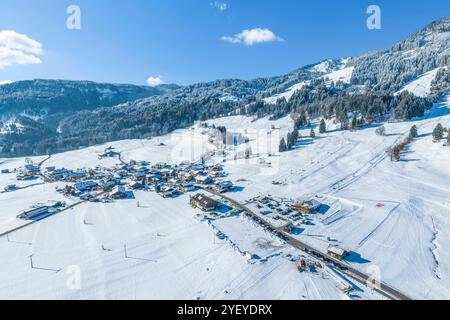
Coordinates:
(381, 287)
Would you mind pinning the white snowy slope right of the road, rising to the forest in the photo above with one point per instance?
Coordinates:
(407, 236)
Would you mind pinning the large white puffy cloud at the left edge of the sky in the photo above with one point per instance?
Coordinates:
(18, 49)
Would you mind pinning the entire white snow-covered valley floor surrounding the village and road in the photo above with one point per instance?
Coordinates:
(394, 216)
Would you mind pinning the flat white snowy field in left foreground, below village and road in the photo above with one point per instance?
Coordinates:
(170, 256)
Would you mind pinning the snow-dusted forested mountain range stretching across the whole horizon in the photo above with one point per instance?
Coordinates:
(83, 113)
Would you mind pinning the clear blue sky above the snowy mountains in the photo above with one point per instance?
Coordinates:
(182, 41)
